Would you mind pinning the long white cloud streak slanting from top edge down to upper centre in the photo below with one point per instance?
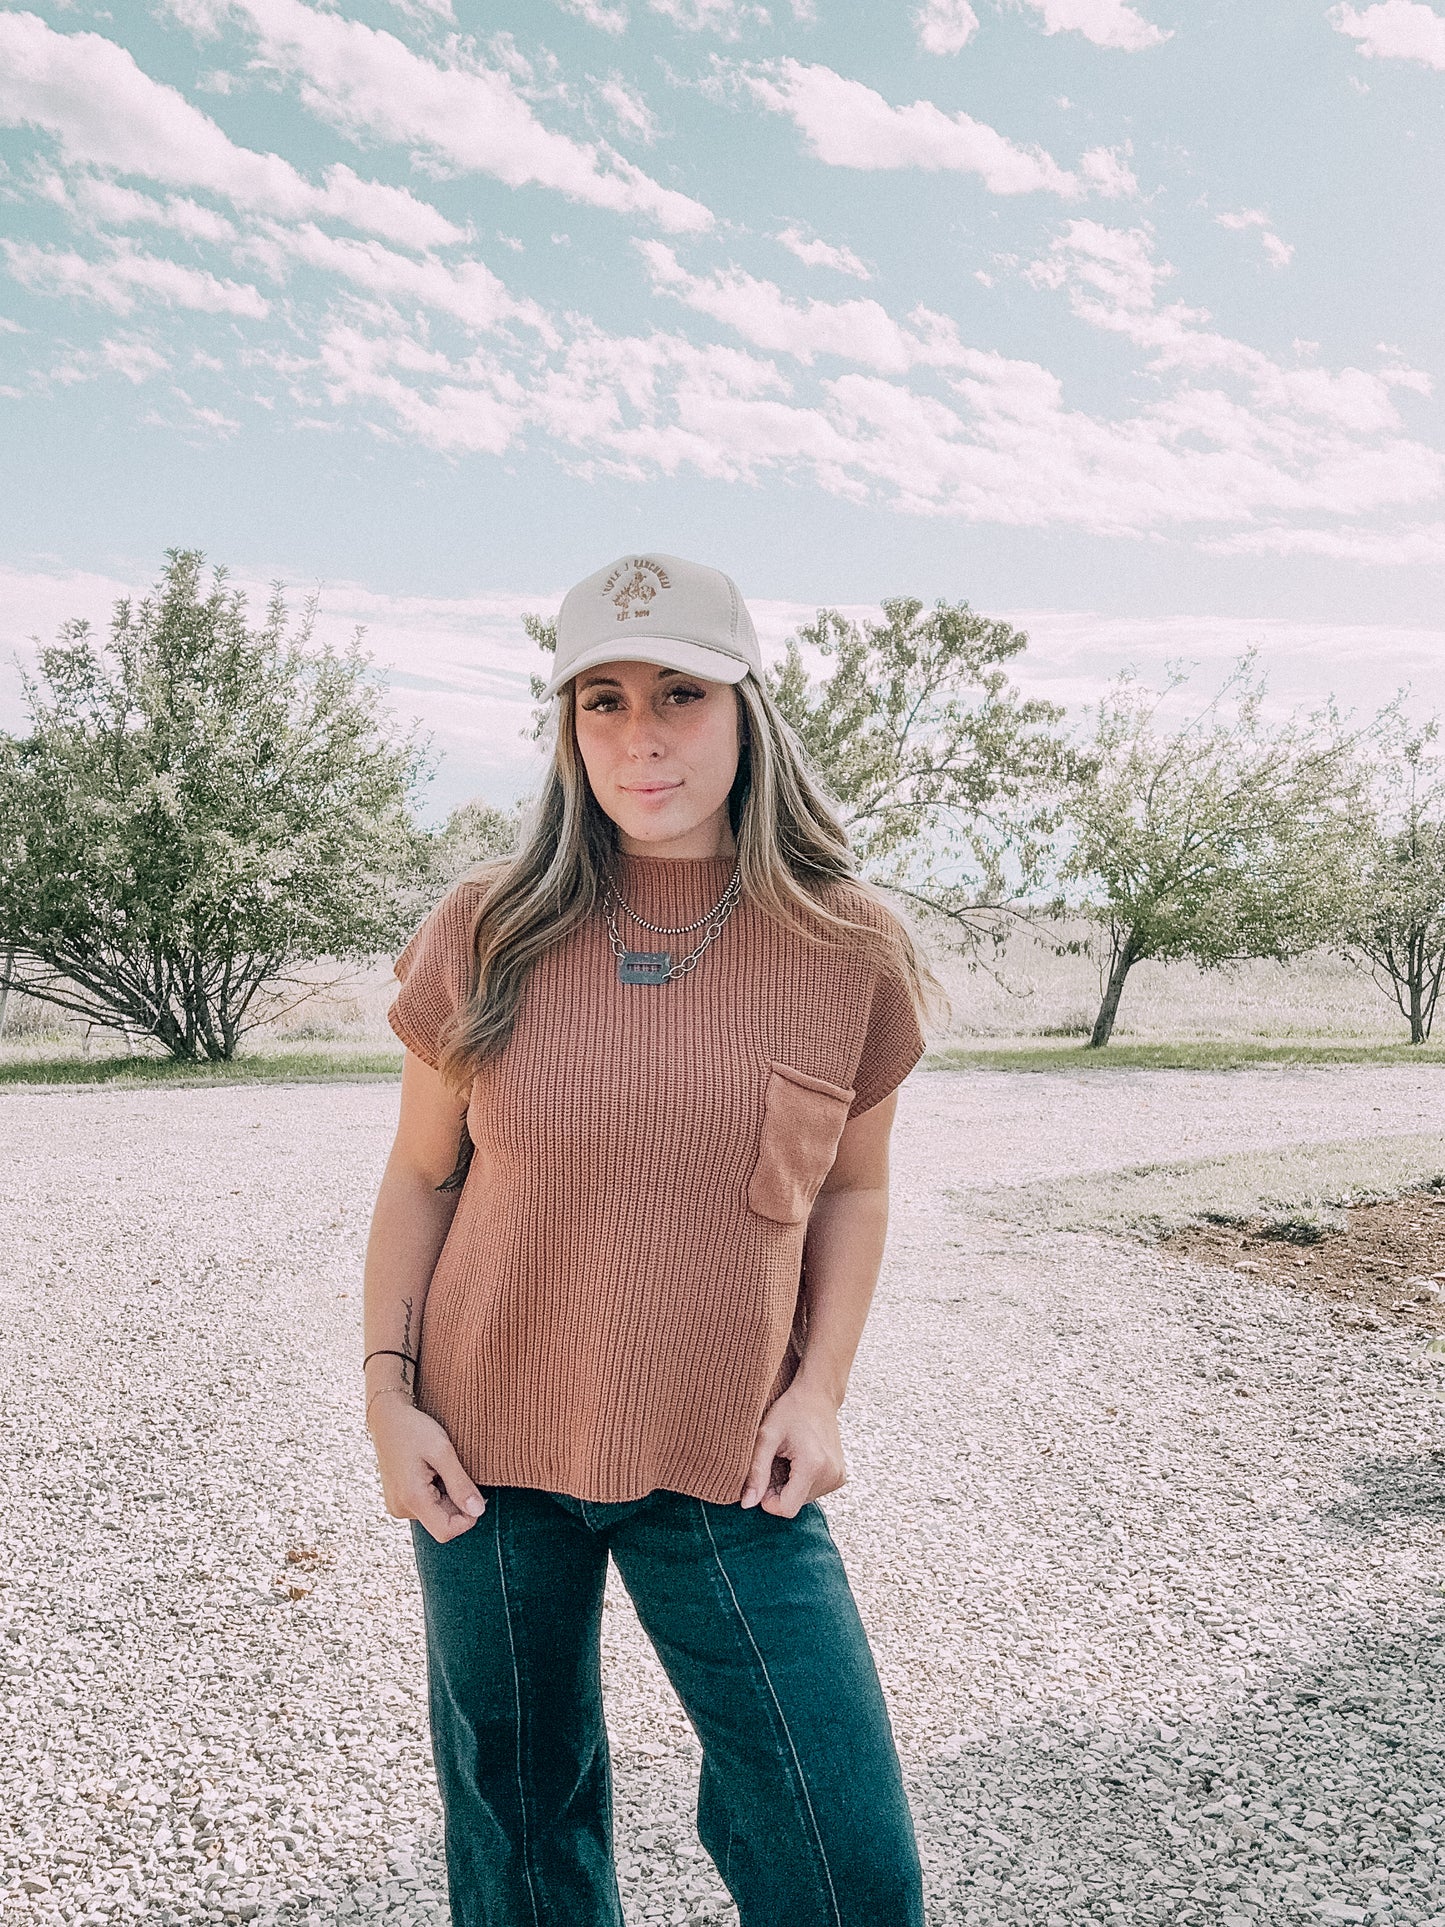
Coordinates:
(467, 115)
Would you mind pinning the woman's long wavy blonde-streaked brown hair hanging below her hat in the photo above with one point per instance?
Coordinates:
(793, 853)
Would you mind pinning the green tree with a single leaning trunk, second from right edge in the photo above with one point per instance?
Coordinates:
(1217, 839)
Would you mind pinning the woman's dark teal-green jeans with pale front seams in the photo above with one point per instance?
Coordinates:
(801, 1799)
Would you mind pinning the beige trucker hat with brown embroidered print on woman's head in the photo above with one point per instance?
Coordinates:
(656, 610)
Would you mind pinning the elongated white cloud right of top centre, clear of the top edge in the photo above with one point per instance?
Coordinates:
(851, 126)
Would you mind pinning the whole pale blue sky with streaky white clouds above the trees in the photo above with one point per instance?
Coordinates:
(1117, 319)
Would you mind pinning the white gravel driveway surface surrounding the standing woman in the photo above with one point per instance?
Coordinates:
(1151, 1556)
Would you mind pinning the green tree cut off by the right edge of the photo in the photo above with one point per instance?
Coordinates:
(1396, 916)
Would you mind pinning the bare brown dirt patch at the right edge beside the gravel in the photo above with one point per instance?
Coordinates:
(1377, 1263)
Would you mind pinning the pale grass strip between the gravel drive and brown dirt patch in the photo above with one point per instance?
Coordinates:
(1155, 1200)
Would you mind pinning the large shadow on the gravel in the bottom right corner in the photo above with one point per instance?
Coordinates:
(1317, 1797)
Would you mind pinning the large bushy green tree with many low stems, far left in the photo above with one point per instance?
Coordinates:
(199, 810)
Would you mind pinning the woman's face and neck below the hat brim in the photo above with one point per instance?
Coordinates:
(662, 752)
